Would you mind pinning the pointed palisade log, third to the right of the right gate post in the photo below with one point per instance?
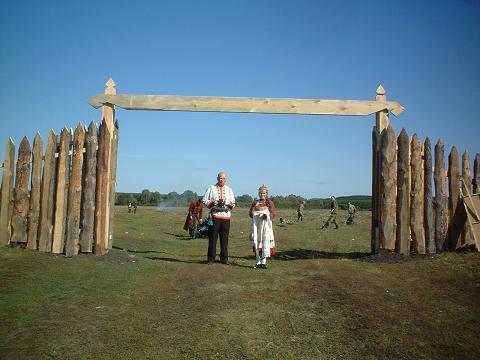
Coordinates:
(416, 197)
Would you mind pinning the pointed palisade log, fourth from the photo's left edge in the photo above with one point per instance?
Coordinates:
(47, 198)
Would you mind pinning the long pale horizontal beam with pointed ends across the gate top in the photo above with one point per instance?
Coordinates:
(246, 105)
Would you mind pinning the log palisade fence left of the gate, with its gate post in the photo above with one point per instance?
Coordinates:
(66, 208)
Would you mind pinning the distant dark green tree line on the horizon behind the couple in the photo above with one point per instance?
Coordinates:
(174, 199)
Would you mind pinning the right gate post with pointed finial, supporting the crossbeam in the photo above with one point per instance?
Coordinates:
(381, 122)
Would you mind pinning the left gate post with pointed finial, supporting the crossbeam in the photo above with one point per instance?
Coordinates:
(102, 206)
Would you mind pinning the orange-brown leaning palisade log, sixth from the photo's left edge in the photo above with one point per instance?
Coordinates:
(75, 194)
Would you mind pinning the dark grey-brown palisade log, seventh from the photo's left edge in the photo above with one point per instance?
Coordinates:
(89, 185)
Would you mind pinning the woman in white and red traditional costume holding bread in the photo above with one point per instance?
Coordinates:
(262, 213)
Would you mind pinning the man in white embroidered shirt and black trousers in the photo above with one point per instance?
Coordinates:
(220, 200)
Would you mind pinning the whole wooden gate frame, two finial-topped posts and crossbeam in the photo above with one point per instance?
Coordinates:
(110, 99)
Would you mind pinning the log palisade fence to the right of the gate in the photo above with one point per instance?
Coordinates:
(410, 220)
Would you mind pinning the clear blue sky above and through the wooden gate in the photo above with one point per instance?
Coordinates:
(55, 55)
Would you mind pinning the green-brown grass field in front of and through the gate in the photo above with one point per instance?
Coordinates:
(323, 297)
